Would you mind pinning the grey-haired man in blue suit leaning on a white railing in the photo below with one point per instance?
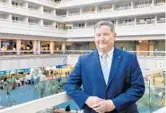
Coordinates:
(111, 78)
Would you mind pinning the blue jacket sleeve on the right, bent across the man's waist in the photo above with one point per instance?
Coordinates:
(135, 90)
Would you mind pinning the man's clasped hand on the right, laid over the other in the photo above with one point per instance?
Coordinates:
(104, 106)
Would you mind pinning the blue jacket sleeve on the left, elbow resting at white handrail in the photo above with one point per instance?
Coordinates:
(73, 85)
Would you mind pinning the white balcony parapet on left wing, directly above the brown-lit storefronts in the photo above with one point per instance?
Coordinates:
(35, 30)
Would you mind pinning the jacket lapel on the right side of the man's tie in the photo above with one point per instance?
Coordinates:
(115, 63)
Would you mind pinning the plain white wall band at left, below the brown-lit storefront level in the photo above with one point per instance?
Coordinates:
(9, 63)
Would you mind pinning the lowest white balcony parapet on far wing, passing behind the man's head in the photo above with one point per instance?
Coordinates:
(127, 30)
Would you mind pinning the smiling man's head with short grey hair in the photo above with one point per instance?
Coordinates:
(104, 36)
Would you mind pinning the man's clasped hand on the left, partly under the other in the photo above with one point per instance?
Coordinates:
(92, 100)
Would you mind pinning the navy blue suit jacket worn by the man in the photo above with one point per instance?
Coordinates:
(125, 85)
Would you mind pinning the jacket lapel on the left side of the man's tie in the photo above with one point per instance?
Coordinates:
(99, 72)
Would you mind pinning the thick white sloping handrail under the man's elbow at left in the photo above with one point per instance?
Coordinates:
(38, 105)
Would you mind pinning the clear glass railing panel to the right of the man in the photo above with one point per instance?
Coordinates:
(154, 97)
